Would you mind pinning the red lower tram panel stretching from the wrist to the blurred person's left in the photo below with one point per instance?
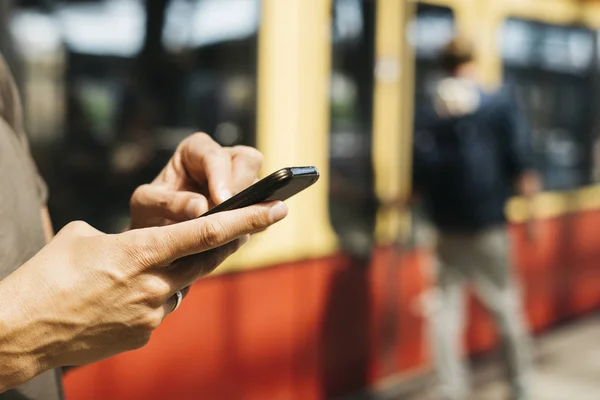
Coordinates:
(307, 330)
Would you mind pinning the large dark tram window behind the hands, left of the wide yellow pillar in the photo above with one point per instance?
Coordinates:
(164, 69)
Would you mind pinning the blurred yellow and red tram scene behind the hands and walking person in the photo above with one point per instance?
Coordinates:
(327, 305)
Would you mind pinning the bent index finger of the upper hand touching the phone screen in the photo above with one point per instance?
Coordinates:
(206, 161)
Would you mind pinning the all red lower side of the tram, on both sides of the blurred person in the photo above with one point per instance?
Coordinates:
(319, 328)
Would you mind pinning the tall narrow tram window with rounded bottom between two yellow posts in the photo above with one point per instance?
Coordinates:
(353, 203)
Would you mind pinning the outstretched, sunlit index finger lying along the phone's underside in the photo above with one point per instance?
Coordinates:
(162, 245)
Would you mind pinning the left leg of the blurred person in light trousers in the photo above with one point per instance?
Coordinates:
(446, 316)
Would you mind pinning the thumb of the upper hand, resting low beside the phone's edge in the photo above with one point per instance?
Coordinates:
(162, 202)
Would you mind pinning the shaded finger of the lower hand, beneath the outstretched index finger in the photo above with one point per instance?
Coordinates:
(188, 270)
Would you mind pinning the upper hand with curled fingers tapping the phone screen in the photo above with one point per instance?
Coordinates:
(200, 175)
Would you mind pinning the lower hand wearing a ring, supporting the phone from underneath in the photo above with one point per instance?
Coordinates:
(88, 295)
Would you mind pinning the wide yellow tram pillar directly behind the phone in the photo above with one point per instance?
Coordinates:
(293, 126)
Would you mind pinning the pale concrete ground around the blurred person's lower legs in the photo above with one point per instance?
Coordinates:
(567, 368)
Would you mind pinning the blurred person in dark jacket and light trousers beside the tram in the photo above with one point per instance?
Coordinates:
(471, 151)
